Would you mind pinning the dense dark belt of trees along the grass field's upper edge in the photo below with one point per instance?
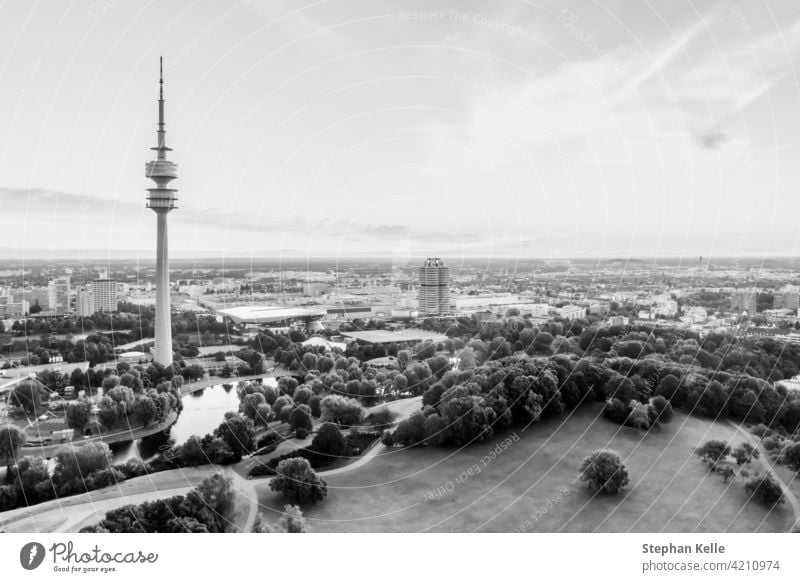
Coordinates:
(636, 371)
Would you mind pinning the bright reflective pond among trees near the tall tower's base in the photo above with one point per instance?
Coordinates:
(202, 412)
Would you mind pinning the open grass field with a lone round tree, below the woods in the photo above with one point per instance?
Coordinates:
(532, 485)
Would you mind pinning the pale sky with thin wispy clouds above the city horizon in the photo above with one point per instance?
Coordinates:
(404, 129)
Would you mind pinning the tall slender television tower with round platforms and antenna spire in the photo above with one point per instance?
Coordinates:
(161, 199)
